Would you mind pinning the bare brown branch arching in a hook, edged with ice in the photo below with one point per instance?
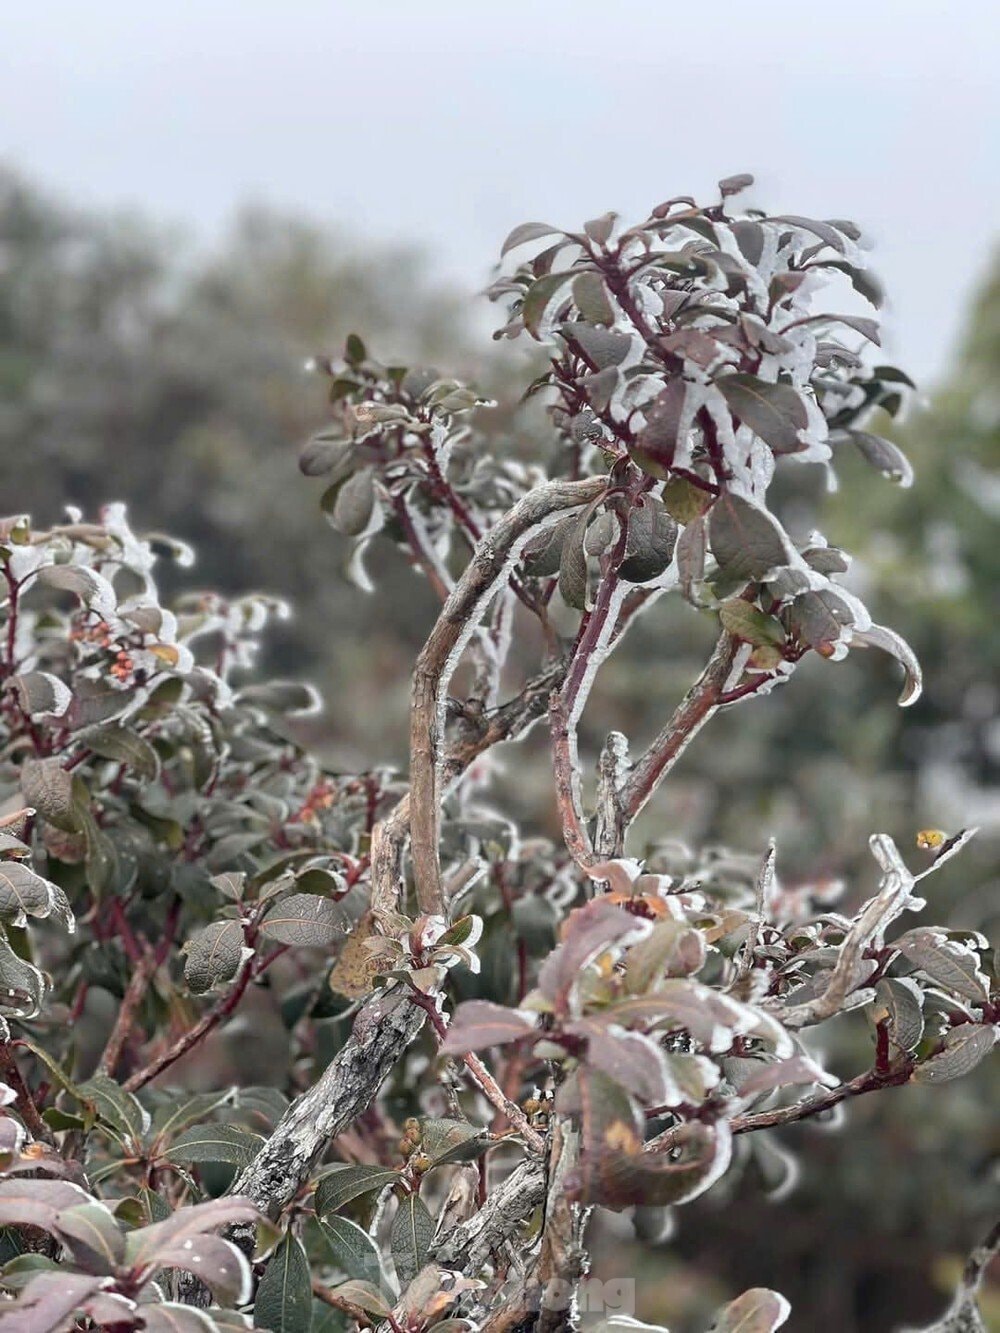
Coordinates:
(485, 577)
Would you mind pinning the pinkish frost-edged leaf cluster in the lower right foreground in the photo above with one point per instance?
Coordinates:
(675, 1002)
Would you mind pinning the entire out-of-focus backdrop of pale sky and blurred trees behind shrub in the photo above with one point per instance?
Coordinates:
(195, 201)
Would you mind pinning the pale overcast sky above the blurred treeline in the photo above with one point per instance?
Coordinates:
(445, 123)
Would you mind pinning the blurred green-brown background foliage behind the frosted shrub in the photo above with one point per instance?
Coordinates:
(138, 367)
